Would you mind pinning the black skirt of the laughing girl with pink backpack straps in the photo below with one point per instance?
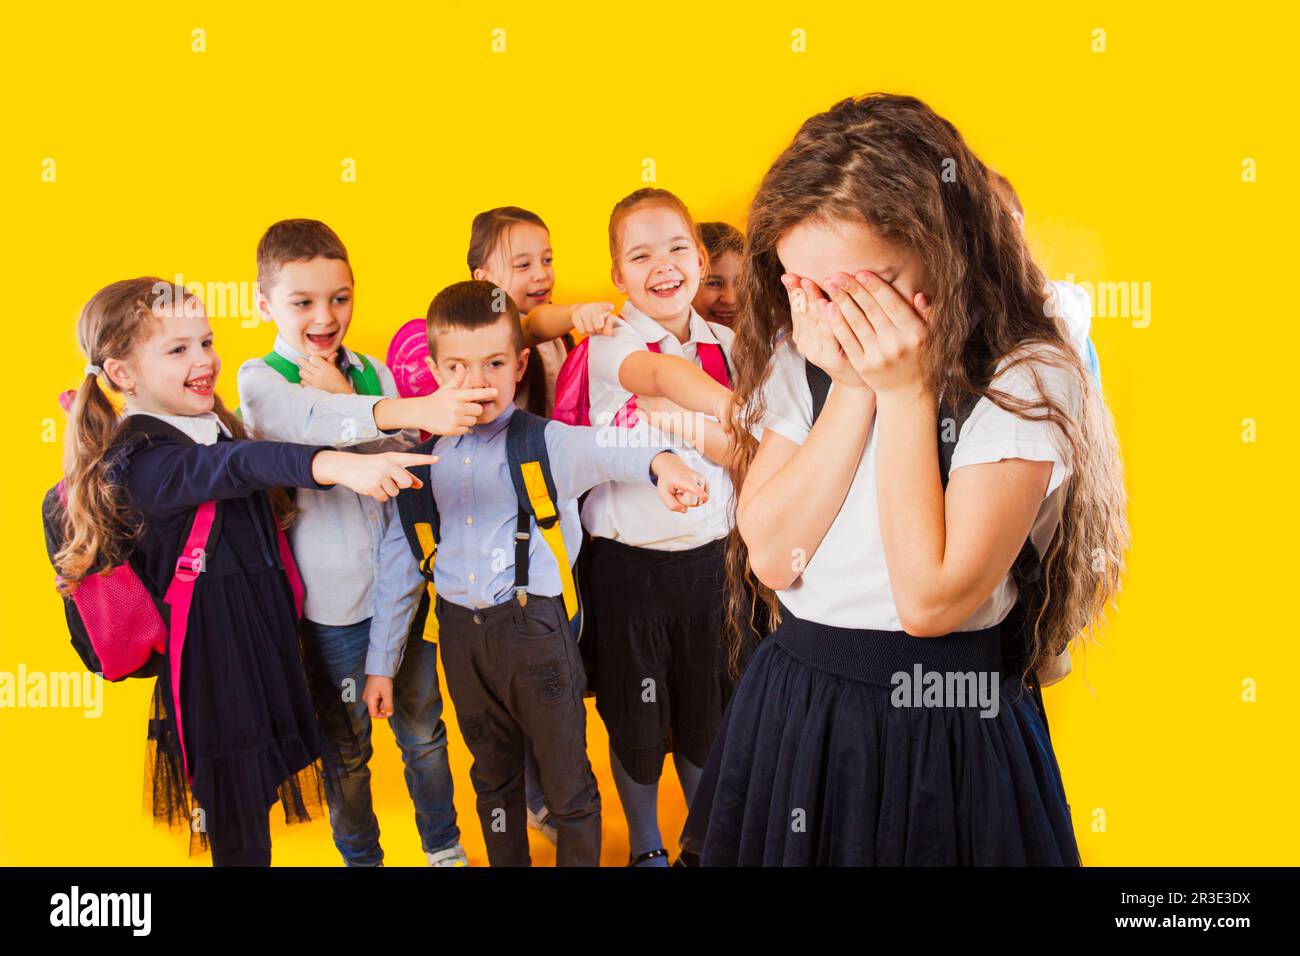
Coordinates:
(657, 652)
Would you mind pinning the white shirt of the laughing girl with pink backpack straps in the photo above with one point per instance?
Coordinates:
(632, 513)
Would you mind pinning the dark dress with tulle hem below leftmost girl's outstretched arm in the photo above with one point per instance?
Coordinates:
(252, 732)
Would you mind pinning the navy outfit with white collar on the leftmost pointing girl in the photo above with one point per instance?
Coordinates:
(250, 726)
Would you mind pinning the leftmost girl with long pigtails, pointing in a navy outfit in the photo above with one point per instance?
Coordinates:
(232, 729)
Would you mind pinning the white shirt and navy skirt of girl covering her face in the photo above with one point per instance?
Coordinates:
(817, 764)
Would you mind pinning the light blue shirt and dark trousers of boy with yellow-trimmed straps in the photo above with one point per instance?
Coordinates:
(513, 671)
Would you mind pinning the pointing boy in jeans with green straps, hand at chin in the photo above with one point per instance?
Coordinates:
(313, 390)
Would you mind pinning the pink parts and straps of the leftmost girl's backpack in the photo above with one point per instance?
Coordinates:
(118, 628)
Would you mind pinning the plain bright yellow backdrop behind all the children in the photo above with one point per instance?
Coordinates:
(1129, 163)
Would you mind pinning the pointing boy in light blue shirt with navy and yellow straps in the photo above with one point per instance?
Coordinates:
(512, 664)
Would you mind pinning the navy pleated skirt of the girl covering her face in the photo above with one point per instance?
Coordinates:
(827, 758)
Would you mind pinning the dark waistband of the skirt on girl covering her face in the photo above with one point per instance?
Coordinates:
(876, 657)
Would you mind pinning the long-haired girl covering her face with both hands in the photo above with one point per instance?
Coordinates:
(894, 336)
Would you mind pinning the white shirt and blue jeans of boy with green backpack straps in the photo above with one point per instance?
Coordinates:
(336, 542)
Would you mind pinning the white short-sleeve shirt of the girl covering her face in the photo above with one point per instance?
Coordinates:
(847, 581)
